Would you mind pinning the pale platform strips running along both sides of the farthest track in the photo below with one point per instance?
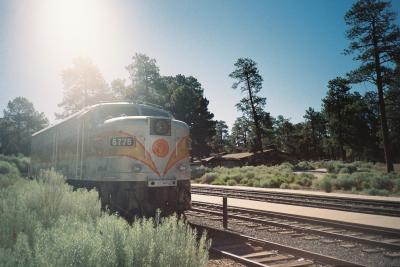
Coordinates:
(327, 214)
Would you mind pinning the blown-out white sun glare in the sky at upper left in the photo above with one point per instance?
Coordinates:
(76, 27)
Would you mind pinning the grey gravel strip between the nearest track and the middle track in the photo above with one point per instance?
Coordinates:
(357, 253)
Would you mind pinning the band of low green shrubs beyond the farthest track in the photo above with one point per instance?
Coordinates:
(356, 176)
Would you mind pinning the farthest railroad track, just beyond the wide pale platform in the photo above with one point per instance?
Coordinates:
(381, 207)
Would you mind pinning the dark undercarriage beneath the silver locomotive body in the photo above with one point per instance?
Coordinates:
(130, 199)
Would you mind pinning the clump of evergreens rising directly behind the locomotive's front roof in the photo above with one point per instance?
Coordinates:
(182, 96)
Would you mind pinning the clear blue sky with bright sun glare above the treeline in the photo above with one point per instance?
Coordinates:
(297, 44)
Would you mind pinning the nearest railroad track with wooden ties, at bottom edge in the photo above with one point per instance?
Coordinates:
(257, 252)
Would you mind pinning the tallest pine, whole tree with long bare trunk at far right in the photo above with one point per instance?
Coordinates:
(374, 39)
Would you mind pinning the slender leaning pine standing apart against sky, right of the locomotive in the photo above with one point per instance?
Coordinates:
(250, 81)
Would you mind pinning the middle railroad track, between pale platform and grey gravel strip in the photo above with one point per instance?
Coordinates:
(369, 235)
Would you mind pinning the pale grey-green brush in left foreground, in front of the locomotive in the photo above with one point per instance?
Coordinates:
(45, 223)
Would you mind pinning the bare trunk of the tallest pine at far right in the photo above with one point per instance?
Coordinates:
(382, 110)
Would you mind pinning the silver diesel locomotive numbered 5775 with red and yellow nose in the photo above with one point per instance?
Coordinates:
(135, 155)
